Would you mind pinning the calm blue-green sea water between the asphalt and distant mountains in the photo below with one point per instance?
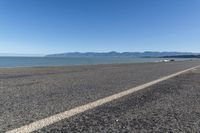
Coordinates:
(68, 61)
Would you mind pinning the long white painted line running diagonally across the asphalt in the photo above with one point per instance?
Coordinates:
(77, 110)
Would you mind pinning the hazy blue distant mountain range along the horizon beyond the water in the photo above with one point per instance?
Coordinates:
(122, 54)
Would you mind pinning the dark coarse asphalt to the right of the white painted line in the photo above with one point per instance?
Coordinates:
(170, 106)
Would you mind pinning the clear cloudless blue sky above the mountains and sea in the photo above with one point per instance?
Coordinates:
(56, 26)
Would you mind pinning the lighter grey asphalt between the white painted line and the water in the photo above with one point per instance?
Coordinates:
(30, 94)
